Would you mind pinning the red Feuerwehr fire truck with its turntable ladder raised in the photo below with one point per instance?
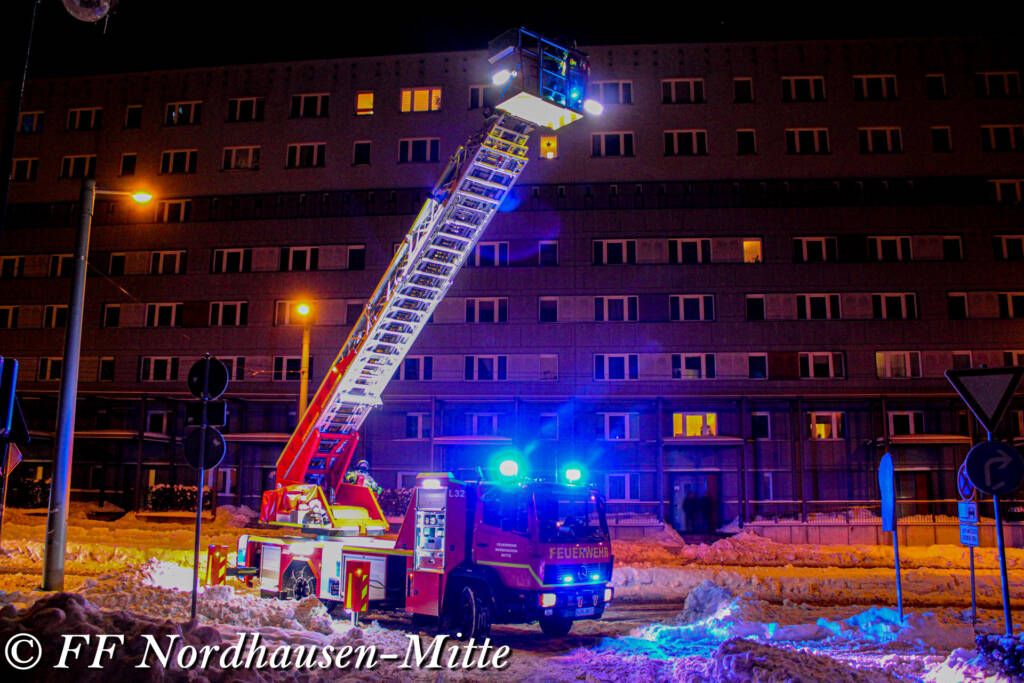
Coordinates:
(472, 551)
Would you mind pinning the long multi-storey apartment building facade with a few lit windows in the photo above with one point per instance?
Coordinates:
(743, 282)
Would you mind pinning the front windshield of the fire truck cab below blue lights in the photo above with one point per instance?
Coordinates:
(571, 517)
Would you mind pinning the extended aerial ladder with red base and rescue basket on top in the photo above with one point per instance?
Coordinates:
(545, 86)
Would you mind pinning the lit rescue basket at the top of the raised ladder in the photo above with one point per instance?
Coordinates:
(545, 83)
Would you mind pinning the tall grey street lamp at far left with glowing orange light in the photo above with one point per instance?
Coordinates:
(57, 522)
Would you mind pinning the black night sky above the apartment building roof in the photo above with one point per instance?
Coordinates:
(145, 35)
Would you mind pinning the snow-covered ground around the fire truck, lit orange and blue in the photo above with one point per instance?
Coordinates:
(742, 610)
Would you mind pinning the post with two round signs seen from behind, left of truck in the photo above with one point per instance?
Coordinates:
(204, 446)
